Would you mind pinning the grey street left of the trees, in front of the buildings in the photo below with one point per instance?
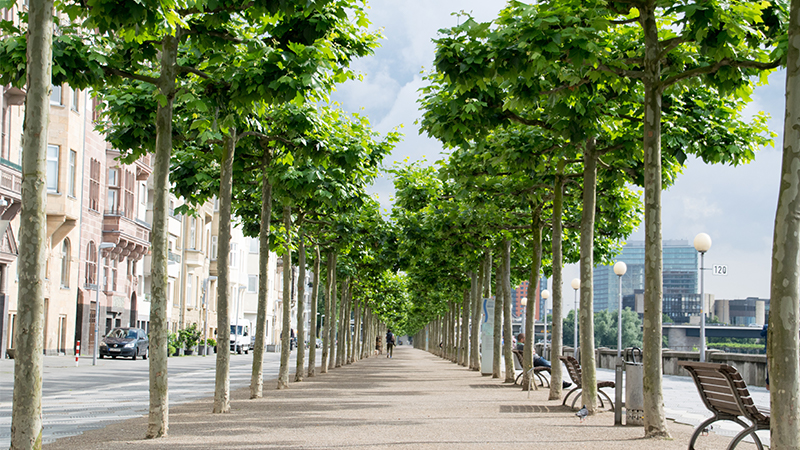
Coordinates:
(75, 399)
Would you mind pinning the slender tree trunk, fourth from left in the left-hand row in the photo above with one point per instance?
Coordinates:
(257, 375)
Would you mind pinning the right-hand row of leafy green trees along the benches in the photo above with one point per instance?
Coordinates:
(555, 102)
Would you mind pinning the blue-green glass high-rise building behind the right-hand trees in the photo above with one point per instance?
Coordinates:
(679, 272)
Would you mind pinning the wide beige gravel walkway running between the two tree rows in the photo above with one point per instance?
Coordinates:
(414, 400)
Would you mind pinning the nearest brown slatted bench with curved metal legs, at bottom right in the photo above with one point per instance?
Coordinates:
(725, 394)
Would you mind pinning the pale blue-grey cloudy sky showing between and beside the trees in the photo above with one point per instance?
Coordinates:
(734, 205)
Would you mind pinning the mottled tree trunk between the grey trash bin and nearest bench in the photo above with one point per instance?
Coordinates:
(655, 421)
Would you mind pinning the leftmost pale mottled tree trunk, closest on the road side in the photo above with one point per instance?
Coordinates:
(26, 416)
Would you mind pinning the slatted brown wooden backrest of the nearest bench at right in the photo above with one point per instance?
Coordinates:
(723, 390)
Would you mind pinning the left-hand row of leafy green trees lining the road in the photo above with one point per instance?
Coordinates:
(230, 97)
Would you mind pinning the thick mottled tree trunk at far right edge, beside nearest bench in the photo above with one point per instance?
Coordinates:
(782, 354)
